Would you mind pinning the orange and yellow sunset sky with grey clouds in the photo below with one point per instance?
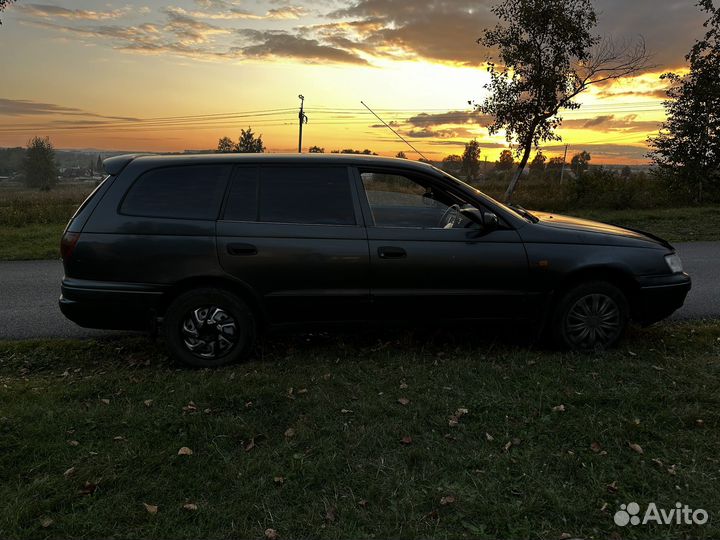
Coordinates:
(159, 76)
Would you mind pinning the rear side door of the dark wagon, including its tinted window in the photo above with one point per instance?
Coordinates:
(294, 234)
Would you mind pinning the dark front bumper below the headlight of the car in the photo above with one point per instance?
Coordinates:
(660, 296)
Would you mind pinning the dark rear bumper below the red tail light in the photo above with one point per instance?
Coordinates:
(109, 305)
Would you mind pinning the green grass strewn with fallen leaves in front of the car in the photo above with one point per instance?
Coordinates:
(345, 472)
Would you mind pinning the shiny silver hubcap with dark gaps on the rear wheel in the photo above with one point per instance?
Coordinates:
(209, 332)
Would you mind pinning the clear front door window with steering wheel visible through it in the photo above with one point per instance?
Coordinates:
(400, 201)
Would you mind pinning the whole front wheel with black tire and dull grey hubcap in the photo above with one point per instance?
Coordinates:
(590, 316)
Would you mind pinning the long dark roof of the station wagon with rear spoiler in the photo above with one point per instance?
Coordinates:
(115, 165)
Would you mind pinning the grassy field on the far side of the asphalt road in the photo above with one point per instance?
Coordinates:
(32, 222)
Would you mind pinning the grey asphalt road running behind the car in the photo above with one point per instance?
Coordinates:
(29, 291)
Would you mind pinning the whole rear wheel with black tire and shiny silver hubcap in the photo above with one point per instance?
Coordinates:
(209, 328)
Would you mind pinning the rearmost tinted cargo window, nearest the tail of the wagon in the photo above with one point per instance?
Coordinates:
(187, 192)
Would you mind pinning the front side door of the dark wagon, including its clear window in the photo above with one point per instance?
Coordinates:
(423, 267)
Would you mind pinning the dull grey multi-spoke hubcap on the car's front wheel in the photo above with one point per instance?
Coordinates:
(593, 321)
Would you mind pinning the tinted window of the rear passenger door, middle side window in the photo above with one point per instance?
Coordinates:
(287, 194)
